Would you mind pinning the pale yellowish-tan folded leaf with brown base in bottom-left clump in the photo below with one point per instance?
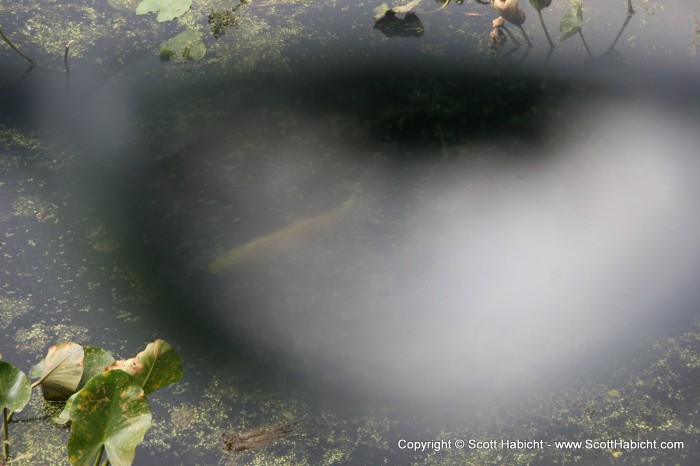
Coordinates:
(62, 371)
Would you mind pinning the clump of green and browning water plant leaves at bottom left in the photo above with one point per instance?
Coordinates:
(105, 400)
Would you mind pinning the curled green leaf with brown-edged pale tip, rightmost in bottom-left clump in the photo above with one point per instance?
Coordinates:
(153, 368)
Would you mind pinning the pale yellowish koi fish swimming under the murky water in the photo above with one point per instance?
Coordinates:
(281, 240)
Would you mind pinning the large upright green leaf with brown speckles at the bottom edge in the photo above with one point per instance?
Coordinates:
(111, 411)
